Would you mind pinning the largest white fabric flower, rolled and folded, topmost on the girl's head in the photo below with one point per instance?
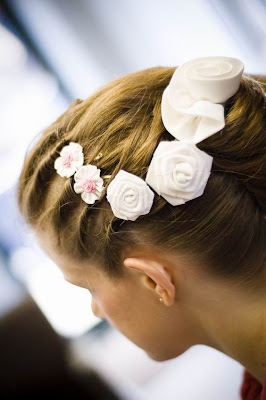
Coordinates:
(189, 109)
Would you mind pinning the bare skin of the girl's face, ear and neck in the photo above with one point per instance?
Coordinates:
(197, 308)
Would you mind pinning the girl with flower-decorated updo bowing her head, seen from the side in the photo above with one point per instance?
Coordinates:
(97, 190)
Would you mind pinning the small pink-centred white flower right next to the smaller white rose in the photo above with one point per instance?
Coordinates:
(89, 183)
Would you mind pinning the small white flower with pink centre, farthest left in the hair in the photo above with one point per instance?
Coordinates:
(70, 160)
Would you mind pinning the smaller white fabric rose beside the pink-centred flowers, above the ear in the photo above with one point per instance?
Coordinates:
(129, 196)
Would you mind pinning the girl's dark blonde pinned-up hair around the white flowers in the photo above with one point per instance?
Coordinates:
(223, 230)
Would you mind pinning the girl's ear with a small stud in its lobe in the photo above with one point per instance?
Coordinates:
(162, 283)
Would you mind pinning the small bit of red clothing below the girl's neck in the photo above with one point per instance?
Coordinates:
(251, 389)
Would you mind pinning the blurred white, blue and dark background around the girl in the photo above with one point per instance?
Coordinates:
(51, 52)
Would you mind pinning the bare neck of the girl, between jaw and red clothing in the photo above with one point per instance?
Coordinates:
(235, 324)
